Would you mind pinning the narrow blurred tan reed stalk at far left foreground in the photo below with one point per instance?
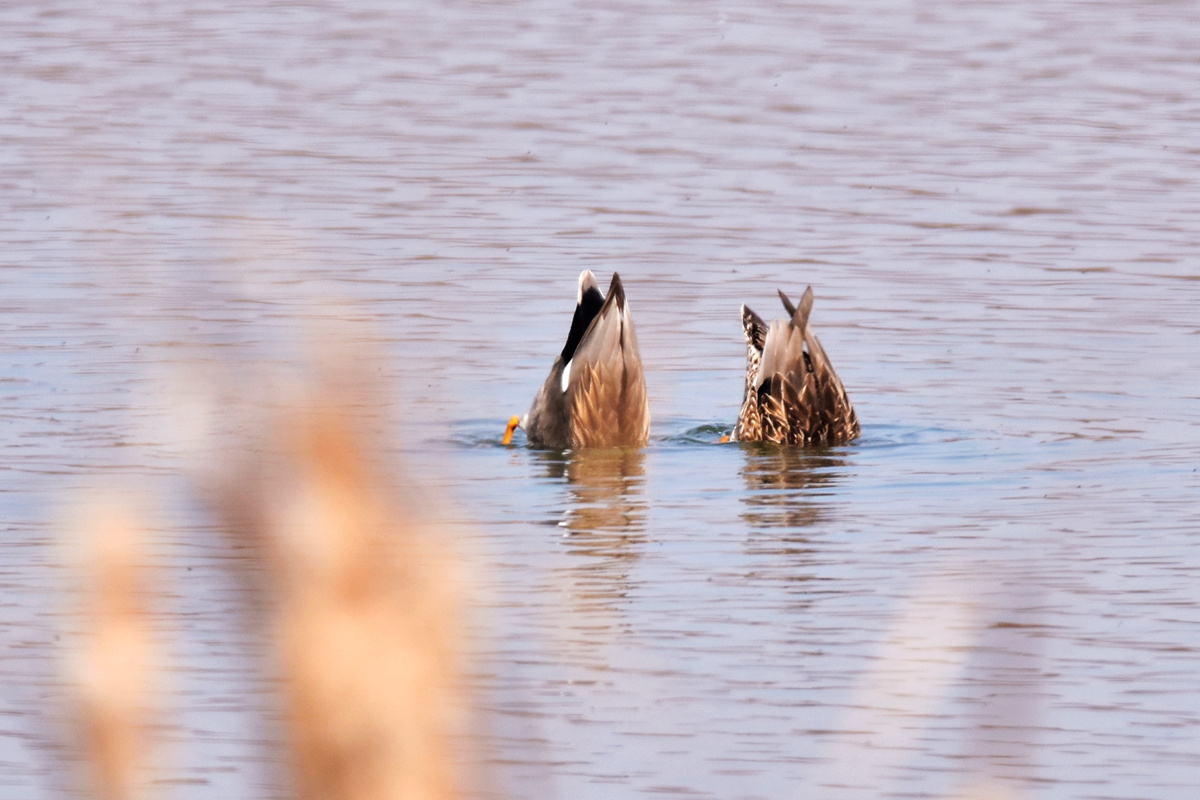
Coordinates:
(115, 666)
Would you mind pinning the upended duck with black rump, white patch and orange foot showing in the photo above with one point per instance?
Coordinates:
(596, 393)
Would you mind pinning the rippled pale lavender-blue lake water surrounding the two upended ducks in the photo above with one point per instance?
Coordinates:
(993, 592)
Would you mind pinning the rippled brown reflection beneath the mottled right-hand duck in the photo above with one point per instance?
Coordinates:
(785, 486)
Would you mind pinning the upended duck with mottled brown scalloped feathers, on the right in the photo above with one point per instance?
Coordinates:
(793, 394)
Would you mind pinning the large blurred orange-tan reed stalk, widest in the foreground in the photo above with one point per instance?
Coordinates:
(364, 609)
